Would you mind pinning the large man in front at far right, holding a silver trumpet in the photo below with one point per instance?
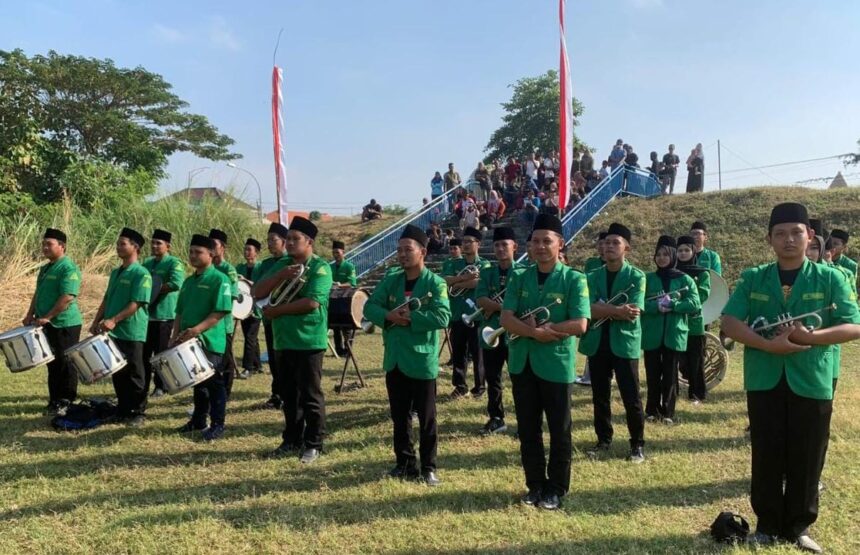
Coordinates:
(788, 378)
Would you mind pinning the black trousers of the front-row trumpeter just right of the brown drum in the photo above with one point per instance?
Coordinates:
(406, 394)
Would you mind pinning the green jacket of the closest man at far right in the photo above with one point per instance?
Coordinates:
(758, 292)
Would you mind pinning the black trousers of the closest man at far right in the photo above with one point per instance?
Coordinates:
(789, 436)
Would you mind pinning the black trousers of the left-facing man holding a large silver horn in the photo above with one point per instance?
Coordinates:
(302, 396)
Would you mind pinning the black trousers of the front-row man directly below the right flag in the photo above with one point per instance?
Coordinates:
(534, 398)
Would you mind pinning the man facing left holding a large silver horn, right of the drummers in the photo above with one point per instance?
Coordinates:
(300, 327)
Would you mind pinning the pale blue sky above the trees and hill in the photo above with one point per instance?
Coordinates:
(379, 94)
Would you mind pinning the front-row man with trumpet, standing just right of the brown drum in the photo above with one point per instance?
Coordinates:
(411, 360)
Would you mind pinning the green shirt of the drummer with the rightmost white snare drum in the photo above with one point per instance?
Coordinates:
(201, 295)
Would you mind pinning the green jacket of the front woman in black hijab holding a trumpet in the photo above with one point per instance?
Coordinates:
(668, 329)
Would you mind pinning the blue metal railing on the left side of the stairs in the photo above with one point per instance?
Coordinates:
(383, 245)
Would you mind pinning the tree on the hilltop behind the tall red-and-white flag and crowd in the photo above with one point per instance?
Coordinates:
(531, 119)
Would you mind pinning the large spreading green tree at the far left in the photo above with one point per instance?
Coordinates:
(59, 110)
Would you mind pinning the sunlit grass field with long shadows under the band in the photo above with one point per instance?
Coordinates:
(119, 490)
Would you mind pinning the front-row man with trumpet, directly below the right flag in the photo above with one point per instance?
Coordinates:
(541, 360)
